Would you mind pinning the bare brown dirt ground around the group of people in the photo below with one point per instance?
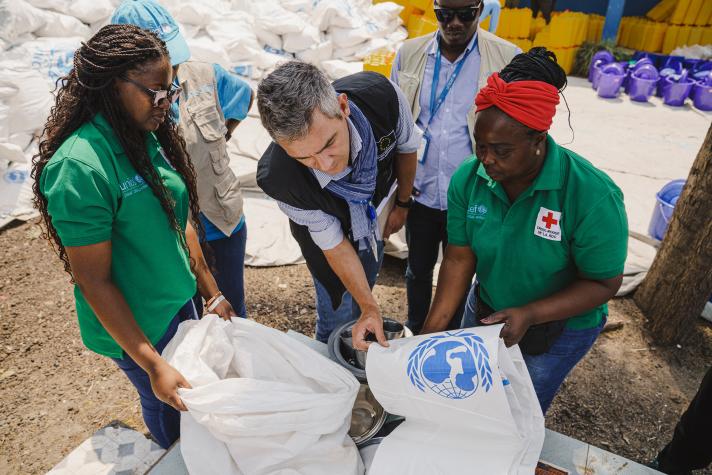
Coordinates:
(625, 396)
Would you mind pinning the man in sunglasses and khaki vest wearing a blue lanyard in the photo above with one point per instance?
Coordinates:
(440, 75)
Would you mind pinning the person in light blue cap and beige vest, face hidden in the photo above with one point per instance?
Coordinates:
(212, 103)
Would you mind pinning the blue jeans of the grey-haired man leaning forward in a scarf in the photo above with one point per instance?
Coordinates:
(327, 319)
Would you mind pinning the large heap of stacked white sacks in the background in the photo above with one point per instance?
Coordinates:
(38, 39)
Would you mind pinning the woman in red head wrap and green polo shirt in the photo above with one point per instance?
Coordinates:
(545, 231)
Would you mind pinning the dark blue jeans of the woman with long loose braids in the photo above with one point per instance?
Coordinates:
(161, 419)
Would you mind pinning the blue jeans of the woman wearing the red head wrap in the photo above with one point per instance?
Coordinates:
(549, 369)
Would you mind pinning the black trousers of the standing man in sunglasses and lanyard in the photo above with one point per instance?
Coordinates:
(426, 232)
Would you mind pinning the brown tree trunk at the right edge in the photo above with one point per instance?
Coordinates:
(679, 282)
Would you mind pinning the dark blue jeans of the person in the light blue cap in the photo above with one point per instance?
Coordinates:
(229, 270)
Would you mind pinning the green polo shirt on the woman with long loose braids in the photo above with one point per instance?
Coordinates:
(94, 195)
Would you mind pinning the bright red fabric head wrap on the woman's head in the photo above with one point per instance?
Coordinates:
(533, 103)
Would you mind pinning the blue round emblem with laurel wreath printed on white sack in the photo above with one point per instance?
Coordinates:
(452, 365)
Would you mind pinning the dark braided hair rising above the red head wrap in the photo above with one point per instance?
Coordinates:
(538, 64)
